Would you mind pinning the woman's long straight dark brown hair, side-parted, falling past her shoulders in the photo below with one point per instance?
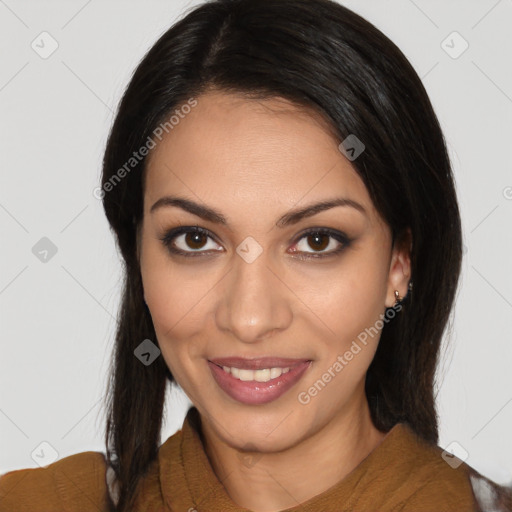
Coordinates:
(325, 58)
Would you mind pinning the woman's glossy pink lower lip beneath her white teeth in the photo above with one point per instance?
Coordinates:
(252, 392)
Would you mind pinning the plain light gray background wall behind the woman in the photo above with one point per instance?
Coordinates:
(57, 318)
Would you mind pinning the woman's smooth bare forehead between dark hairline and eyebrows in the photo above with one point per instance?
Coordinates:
(258, 151)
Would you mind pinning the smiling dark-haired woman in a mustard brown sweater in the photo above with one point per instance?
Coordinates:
(276, 179)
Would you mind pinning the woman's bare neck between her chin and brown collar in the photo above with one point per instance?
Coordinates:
(277, 481)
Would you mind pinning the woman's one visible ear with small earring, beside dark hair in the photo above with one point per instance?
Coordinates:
(400, 267)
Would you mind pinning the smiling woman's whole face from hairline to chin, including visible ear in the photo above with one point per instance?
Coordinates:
(253, 287)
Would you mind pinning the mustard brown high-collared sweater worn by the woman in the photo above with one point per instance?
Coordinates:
(403, 473)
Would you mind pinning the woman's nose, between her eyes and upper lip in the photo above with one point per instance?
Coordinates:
(255, 302)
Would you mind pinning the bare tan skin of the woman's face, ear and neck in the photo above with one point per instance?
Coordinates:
(253, 161)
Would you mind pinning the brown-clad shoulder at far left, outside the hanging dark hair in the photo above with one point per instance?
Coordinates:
(76, 482)
